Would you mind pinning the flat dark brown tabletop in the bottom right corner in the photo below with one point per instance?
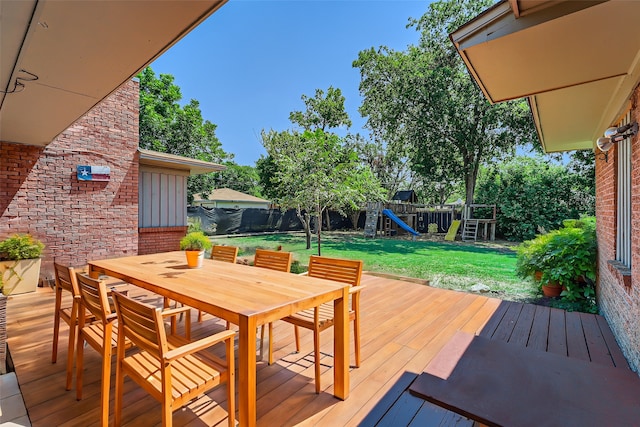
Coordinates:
(502, 384)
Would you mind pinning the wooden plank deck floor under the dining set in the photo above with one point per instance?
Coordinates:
(404, 325)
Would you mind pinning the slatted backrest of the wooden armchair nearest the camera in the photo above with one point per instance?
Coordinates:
(142, 324)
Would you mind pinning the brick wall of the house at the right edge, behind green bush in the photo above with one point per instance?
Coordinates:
(619, 296)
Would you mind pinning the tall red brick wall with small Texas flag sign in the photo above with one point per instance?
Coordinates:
(77, 220)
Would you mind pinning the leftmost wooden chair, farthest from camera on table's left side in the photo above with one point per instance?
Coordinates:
(66, 282)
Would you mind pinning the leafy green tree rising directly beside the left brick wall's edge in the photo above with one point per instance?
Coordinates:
(168, 127)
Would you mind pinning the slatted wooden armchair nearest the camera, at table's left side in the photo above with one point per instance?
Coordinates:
(173, 371)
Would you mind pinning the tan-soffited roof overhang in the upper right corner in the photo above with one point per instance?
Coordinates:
(578, 63)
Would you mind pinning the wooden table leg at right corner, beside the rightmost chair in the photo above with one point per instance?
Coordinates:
(341, 346)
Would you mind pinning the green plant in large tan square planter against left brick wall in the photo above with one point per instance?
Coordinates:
(20, 264)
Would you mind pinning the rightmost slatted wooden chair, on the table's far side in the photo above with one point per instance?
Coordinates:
(320, 318)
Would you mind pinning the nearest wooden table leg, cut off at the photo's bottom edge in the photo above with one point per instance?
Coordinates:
(247, 371)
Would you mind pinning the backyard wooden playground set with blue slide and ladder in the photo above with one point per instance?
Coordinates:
(399, 217)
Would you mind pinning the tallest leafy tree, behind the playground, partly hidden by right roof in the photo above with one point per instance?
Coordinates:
(423, 102)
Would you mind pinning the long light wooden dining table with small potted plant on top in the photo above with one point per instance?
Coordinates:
(245, 296)
